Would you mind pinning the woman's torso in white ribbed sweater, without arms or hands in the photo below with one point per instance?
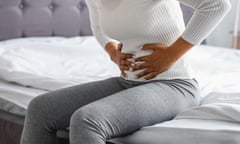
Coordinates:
(137, 22)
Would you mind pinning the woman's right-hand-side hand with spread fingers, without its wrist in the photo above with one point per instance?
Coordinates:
(158, 61)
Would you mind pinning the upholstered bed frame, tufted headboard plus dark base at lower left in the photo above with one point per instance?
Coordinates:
(30, 18)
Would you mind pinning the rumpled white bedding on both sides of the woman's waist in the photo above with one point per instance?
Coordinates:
(49, 63)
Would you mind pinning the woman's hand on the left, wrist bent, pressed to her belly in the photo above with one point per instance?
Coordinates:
(114, 50)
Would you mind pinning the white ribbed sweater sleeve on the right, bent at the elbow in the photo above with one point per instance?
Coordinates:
(207, 15)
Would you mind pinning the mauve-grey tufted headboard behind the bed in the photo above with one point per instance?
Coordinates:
(27, 18)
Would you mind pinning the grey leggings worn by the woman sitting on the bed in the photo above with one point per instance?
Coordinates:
(104, 109)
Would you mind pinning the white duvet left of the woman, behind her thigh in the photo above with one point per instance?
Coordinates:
(54, 62)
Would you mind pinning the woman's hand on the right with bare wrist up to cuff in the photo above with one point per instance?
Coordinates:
(161, 58)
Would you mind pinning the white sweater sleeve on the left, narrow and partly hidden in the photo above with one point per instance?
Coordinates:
(95, 24)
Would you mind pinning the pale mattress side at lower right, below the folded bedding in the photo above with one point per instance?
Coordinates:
(185, 131)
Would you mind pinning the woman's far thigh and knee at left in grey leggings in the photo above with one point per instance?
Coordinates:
(57, 107)
